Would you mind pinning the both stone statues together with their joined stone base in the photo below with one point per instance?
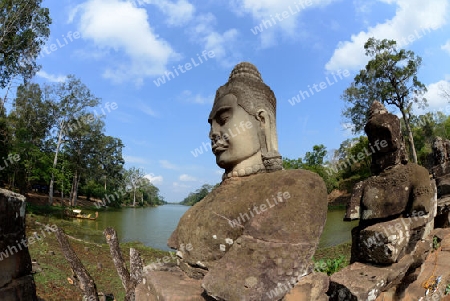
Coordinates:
(246, 248)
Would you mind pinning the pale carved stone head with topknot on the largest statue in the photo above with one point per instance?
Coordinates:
(243, 129)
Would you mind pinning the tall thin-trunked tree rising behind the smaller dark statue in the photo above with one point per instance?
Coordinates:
(389, 77)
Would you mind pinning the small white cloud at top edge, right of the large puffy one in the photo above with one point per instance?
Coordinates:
(178, 13)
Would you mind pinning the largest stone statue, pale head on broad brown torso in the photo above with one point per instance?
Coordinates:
(253, 237)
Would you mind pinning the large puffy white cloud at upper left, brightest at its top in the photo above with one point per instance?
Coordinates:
(119, 26)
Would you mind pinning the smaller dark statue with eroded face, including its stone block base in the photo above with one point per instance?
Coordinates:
(396, 208)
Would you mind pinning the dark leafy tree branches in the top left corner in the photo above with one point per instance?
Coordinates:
(24, 29)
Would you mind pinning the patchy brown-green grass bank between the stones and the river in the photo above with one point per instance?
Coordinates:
(52, 279)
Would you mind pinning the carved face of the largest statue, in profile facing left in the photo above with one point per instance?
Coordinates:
(234, 135)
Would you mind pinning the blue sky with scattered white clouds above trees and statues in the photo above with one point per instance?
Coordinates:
(120, 48)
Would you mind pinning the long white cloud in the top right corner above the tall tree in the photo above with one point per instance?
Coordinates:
(413, 20)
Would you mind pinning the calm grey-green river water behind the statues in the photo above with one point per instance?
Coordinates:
(153, 225)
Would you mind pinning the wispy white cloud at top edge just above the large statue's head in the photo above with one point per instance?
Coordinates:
(270, 13)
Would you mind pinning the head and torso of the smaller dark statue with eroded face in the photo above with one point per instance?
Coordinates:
(396, 188)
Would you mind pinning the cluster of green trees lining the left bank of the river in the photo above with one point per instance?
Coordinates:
(58, 140)
